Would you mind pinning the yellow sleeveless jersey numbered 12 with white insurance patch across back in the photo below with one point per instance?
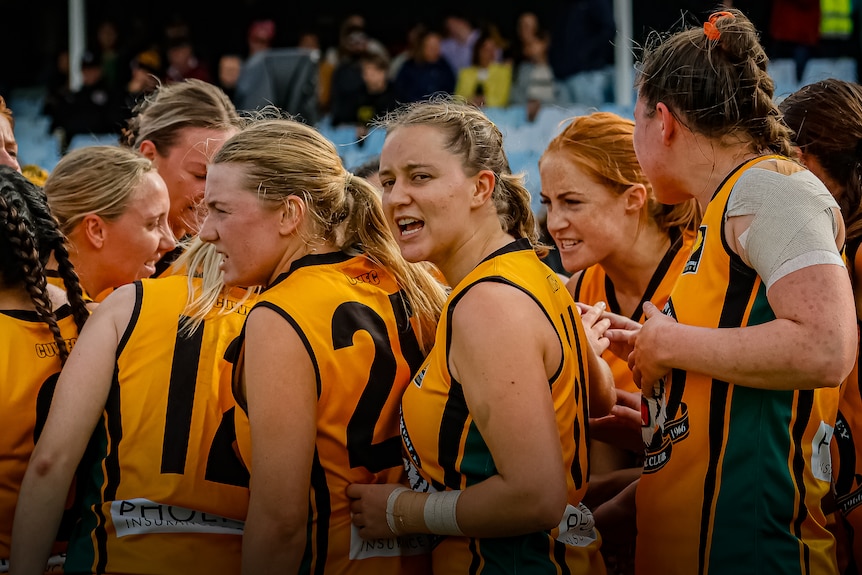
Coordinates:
(161, 489)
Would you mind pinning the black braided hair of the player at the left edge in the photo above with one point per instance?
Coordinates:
(30, 236)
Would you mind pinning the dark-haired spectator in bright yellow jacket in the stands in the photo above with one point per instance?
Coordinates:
(485, 82)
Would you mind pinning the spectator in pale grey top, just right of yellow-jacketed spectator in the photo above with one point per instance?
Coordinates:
(534, 79)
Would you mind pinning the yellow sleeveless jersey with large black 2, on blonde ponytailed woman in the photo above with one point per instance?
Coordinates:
(354, 322)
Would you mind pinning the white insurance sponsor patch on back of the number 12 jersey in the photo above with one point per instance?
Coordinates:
(141, 516)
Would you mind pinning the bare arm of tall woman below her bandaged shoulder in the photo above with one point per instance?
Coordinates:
(810, 344)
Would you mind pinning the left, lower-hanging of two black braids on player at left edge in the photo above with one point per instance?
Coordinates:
(26, 255)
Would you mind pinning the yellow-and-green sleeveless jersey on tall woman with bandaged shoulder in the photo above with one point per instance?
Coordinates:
(734, 476)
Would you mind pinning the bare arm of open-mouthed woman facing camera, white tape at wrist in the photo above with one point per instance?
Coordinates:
(503, 362)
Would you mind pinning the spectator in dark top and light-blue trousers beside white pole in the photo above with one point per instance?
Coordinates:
(581, 51)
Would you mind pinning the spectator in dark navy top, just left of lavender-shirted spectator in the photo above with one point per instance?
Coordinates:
(426, 72)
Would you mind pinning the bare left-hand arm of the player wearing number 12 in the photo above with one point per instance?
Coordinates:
(78, 402)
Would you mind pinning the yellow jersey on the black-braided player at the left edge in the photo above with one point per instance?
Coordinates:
(29, 368)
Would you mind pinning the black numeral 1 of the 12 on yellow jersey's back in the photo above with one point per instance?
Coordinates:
(181, 400)
